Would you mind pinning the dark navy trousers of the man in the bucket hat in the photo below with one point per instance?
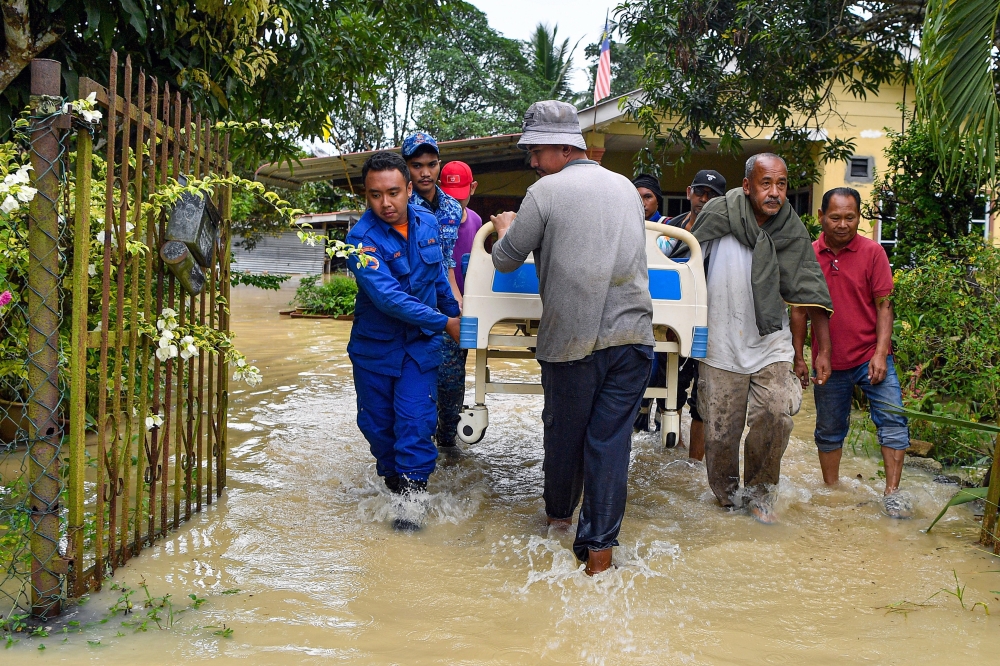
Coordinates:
(590, 405)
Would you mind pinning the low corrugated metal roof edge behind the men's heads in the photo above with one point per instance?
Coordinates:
(485, 155)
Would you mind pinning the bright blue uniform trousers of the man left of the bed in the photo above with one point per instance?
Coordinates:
(397, 416)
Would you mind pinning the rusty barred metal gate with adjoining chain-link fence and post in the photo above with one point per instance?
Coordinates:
(108, 436)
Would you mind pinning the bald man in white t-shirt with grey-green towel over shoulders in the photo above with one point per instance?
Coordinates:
(757, 262)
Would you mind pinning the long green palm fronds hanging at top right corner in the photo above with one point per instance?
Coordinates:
(957, 87)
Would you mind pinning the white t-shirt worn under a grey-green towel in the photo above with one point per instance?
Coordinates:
(733, 341)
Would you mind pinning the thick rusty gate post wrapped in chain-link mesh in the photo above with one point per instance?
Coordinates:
(45, 432)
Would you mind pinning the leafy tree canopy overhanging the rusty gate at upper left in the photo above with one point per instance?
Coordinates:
(284, 60)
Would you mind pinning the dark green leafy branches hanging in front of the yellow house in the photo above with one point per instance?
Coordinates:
(729, 68)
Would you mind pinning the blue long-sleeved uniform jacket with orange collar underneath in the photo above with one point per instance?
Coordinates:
(404, 298)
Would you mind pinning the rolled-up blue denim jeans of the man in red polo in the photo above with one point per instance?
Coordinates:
(833, 408)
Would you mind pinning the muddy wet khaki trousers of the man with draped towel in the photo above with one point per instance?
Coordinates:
(773, 396)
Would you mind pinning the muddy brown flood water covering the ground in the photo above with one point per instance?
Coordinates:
(299, 558)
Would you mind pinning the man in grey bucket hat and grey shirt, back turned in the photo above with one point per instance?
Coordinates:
(585, 226)
